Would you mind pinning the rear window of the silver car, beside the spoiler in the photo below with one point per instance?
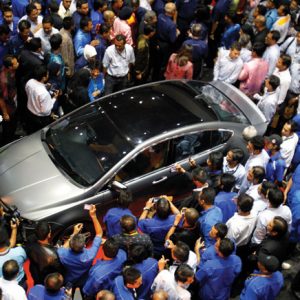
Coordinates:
(225, 109)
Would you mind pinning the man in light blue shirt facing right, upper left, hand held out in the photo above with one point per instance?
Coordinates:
(83, 36)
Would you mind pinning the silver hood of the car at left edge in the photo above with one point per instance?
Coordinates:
(28, 161)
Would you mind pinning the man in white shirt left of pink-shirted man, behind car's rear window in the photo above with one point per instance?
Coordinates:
(229, 64)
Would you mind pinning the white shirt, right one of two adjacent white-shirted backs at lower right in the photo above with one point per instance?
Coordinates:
(265, 217)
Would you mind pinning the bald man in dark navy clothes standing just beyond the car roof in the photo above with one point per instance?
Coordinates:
(167, 34)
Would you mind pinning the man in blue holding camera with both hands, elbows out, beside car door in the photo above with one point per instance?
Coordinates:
(163, 211)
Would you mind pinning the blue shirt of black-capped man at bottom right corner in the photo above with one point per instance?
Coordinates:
(262, 288)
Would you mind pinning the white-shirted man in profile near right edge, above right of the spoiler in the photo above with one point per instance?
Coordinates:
(283, 73)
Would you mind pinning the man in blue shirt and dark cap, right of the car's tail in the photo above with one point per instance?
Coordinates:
(276, 165)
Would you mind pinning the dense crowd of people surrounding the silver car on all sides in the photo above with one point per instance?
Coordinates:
(233, 234)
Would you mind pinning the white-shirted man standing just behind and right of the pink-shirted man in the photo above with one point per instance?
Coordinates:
(272, 52)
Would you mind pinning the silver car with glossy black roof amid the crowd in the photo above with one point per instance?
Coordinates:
(130, 139)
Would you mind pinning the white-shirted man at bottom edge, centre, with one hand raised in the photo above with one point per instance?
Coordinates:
(174, 284)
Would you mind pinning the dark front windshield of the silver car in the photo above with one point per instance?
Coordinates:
(86, 144)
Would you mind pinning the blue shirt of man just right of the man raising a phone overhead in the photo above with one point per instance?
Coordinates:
(103, 273)
